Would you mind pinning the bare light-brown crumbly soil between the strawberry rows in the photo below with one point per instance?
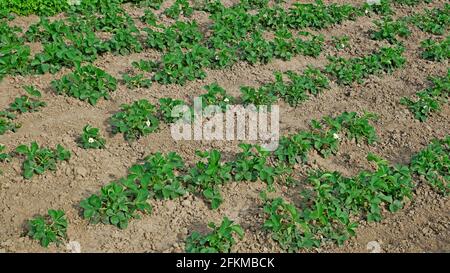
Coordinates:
(422, 226)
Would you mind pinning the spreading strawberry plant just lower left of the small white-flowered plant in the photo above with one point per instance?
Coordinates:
(40, 159)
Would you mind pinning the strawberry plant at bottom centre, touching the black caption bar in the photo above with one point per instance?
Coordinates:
(220, 240)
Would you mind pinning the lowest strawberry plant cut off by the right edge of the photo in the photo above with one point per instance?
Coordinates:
(433, 164)
